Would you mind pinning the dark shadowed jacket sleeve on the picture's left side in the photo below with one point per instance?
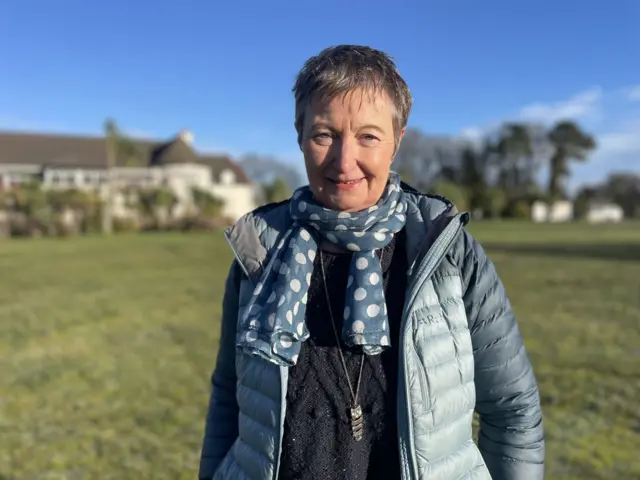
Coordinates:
(221, 428)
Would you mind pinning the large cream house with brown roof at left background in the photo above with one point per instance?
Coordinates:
(80, 162)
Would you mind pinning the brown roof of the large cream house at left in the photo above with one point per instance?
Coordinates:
(68, 151)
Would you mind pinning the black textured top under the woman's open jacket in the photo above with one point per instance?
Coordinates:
(318, 442)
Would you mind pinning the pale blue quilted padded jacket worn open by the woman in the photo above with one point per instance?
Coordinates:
(460, 350)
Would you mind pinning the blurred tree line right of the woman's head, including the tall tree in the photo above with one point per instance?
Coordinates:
(497, 175)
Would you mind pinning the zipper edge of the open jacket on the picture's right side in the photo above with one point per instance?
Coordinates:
(432, 258)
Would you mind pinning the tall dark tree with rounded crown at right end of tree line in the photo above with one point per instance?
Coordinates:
(569, 142)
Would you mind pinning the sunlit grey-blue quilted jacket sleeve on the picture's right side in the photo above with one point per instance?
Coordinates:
(511, 437)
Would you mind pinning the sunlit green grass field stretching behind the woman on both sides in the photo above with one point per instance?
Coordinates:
(107, 344)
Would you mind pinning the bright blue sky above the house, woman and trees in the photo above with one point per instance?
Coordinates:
(225, 72)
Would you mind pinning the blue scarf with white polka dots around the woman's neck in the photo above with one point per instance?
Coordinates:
(273, 324)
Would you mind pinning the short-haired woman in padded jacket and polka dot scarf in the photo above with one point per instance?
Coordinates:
(362, 325)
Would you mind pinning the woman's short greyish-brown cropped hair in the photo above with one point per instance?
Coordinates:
(341, 69)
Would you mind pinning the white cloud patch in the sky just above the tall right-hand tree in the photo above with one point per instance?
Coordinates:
(581, 105)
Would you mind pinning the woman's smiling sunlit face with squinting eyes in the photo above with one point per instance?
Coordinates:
(348, 144)
